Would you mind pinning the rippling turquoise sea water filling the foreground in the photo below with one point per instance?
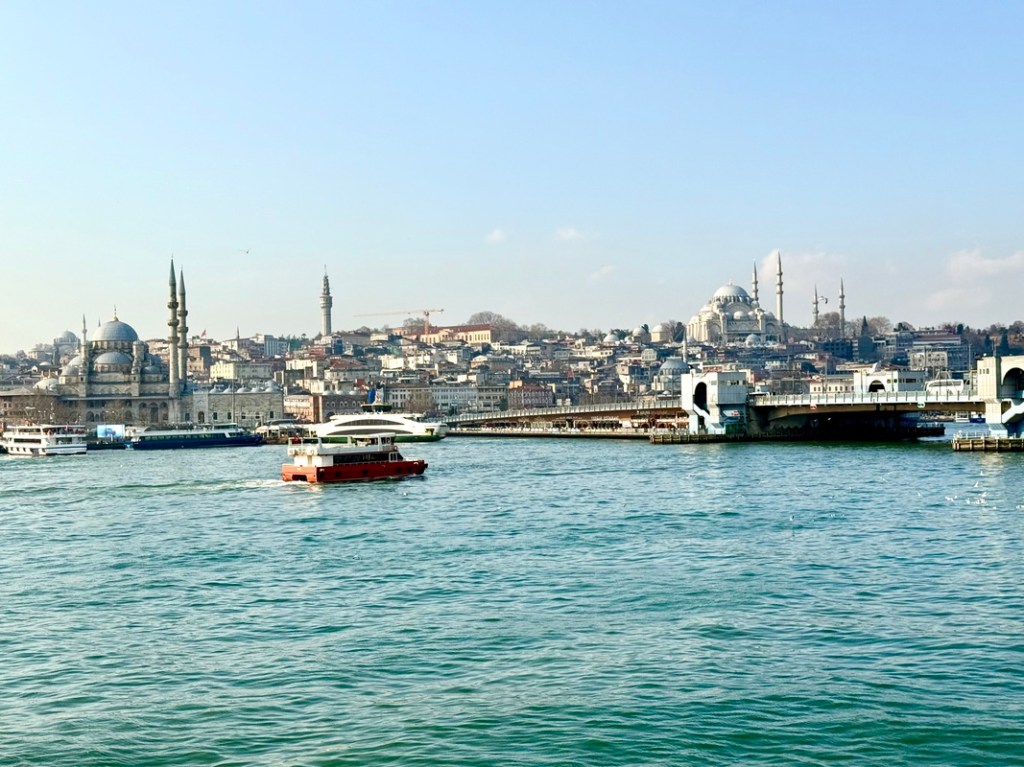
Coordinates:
(535, 603)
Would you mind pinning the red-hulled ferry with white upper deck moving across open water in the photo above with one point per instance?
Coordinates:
(349, 459)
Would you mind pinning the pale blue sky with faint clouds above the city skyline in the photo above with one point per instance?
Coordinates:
(580, 165)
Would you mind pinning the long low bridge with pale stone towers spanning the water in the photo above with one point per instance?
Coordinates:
(724, 404)
